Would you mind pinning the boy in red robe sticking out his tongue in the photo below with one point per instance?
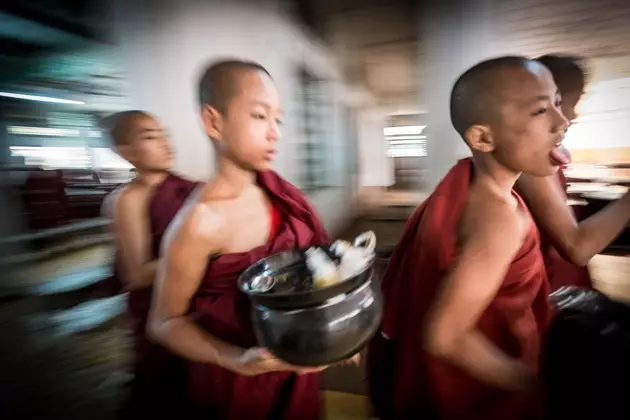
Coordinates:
(466, 288)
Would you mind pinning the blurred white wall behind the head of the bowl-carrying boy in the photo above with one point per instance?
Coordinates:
(164, 48)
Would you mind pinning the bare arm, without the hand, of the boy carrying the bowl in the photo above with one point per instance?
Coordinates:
(183, 262)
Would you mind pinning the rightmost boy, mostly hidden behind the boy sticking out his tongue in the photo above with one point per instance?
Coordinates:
(568, 245)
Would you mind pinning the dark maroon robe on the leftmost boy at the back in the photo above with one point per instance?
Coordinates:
(159, 375)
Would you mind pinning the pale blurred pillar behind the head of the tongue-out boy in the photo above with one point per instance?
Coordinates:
(454, 35)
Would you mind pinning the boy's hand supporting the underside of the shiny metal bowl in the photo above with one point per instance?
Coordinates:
(257, 361)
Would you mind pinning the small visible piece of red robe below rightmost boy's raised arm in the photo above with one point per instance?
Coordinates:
(560, 271)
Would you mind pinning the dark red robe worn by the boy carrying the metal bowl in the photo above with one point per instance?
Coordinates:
(225, 312)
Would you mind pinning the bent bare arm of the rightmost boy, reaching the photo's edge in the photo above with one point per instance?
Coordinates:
(578, 242)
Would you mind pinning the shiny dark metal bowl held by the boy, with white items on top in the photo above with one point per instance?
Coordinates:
(307, 325)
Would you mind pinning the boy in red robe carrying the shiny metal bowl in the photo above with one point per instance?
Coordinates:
(247, 212)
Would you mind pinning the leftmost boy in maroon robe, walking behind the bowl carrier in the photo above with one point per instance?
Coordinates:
(141, 212)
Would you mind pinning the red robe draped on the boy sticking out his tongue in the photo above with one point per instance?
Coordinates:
(408, 383)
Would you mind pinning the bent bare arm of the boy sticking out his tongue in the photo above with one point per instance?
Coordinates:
(451, 332)
